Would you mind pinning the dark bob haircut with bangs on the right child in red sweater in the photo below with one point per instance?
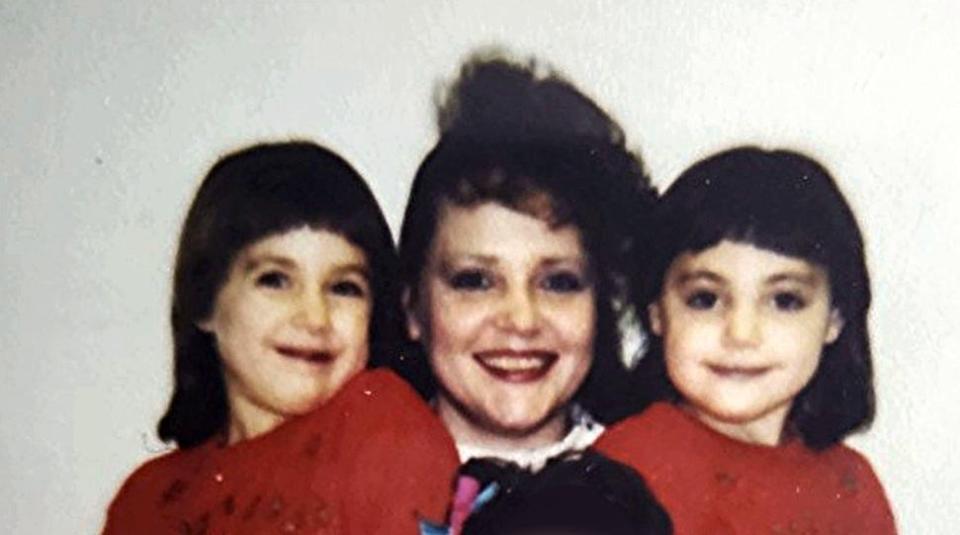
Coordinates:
(787, 203)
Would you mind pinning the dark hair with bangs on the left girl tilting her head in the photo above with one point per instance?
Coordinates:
(248, 195)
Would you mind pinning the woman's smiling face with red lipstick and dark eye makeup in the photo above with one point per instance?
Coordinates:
(506, 313)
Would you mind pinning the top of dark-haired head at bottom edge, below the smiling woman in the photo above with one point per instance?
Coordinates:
(580, 493)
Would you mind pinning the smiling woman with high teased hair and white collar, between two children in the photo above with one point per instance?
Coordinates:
(518, 223)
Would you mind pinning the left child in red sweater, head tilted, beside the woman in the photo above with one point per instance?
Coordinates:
(282, 289)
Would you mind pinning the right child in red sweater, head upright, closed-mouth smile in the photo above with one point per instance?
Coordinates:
(757, 300)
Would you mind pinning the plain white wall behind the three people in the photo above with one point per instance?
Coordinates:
(110, 114)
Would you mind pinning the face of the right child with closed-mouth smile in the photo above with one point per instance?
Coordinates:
(743, 329)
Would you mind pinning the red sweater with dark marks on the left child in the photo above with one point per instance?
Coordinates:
(372, 460)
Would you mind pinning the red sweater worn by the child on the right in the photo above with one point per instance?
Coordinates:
(712, 484)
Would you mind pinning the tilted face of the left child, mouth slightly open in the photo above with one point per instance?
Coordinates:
(291, 322)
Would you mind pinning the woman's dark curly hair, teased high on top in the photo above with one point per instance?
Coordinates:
(533, 143)
